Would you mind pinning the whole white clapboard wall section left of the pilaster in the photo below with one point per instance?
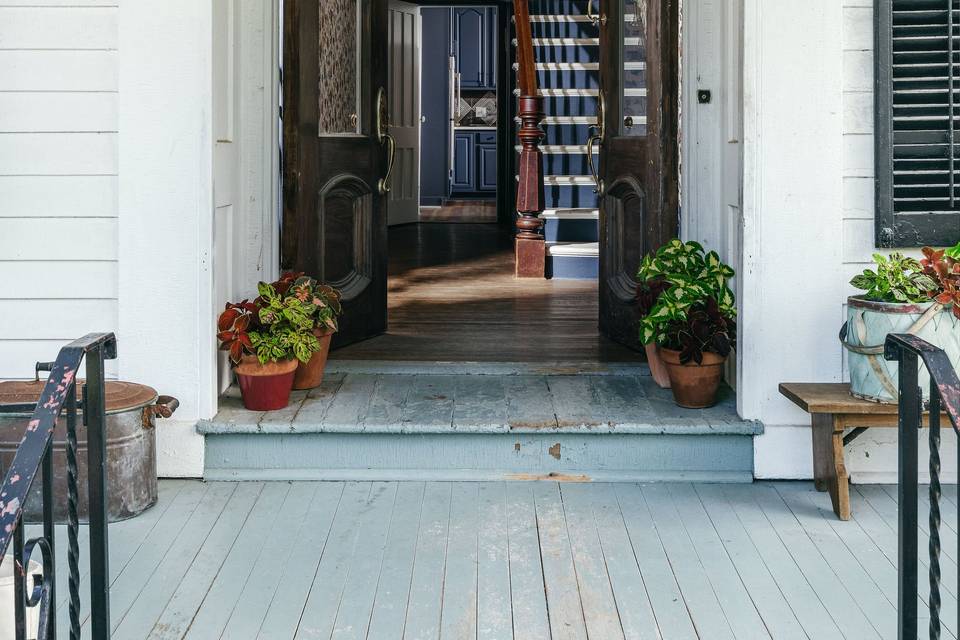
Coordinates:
(58, 177)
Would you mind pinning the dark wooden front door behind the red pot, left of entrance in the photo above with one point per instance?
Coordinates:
(337, 154)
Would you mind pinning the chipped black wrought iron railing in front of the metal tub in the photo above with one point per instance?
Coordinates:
(35, 456)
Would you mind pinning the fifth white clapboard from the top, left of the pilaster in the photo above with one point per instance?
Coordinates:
(58, 196)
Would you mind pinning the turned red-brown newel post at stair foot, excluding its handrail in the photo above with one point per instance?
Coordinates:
(531, 252)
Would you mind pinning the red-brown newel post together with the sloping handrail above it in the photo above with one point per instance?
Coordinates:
(531, 249)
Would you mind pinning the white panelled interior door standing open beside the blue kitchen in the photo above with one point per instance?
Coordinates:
(403, 205)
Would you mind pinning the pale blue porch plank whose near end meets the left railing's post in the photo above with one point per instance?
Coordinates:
(160, 585)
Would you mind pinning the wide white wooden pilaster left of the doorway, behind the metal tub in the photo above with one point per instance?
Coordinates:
(166, 312)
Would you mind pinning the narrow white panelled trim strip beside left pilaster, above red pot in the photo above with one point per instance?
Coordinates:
(226, 230)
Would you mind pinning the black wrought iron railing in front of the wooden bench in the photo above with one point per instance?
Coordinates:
(944, 398)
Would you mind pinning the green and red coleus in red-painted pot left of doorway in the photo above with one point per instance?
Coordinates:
(266, 339)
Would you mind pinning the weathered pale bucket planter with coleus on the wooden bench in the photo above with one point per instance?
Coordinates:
(902, 295)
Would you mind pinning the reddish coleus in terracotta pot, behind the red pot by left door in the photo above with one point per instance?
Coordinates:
(323, 303)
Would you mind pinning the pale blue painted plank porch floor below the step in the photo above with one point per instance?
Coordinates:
(501, 560)
